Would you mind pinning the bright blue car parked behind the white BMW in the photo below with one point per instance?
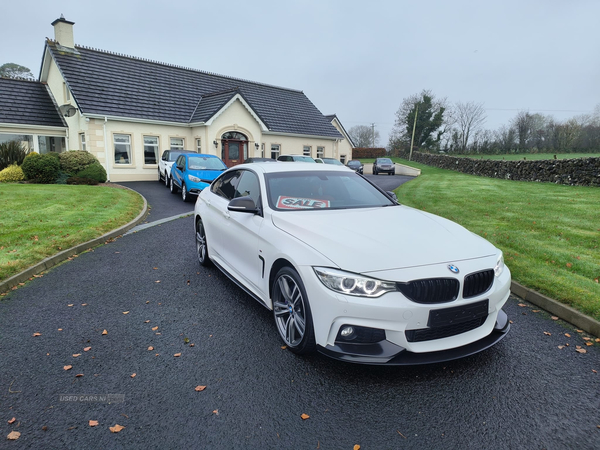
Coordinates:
(192, 172)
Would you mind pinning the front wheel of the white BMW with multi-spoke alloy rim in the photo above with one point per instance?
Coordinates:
(291, 311)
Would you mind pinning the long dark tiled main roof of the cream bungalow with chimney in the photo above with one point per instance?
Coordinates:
(117, 85)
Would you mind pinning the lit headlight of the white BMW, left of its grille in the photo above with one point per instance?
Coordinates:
(353, 284)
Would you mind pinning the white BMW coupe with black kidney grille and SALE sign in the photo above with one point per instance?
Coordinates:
(349, 271)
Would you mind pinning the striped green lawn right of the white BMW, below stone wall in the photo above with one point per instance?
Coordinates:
(550, 234)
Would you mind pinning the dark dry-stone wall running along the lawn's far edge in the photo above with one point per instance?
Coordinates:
(574, 172)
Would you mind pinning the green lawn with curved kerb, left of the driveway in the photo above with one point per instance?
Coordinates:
(40, 220)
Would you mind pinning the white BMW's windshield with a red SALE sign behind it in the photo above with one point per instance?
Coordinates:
(294, 191)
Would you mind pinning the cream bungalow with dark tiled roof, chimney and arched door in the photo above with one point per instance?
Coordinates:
(127, 110)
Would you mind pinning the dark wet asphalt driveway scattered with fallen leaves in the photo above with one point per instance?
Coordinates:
(525, 392)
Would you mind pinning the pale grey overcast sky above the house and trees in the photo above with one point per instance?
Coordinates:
(357, 59)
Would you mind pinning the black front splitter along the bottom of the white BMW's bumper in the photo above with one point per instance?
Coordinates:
(387, 353)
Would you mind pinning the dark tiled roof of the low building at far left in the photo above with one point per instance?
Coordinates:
(25, 102)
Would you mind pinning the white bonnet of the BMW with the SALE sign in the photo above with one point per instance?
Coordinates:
(375, 239)
